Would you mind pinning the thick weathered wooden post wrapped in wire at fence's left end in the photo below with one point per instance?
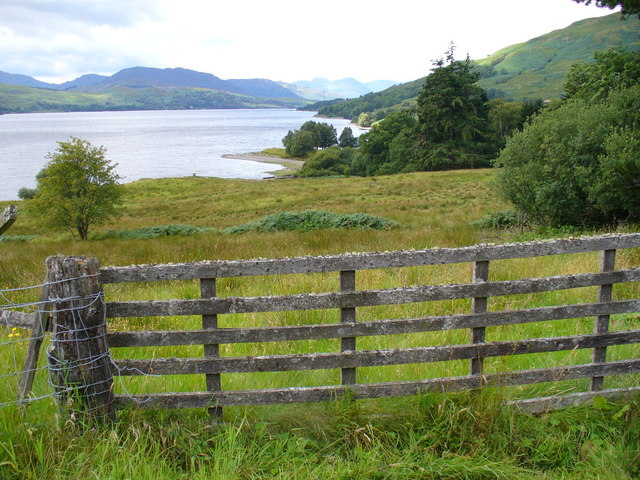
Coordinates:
(79, 358)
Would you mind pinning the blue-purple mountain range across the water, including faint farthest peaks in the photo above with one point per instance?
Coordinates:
(152, 82)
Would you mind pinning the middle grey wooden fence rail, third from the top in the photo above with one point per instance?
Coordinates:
(364, 329)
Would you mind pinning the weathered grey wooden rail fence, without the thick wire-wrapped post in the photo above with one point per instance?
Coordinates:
(349, 299)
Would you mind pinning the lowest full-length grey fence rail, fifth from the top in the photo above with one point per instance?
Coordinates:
(377, 390)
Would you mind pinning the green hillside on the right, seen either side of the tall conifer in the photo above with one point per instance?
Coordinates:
(529, 70)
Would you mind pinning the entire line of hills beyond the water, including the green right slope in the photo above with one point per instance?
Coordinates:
(533, 69)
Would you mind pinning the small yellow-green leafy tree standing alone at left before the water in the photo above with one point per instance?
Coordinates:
(77, 188)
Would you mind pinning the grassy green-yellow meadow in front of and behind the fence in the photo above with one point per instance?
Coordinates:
(467, 435)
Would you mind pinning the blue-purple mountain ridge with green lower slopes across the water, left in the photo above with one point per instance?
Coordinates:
(142, 88)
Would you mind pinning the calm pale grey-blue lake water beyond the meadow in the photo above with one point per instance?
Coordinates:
(149, 144)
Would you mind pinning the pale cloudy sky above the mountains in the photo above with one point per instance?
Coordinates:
(284, 40)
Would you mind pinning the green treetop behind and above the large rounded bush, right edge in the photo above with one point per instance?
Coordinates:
(613, 69)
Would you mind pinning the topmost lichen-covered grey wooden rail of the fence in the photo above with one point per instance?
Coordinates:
(364, 261)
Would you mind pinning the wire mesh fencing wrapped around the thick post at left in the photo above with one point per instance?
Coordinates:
(68, 373)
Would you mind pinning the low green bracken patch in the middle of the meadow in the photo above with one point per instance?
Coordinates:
(313, 220)
